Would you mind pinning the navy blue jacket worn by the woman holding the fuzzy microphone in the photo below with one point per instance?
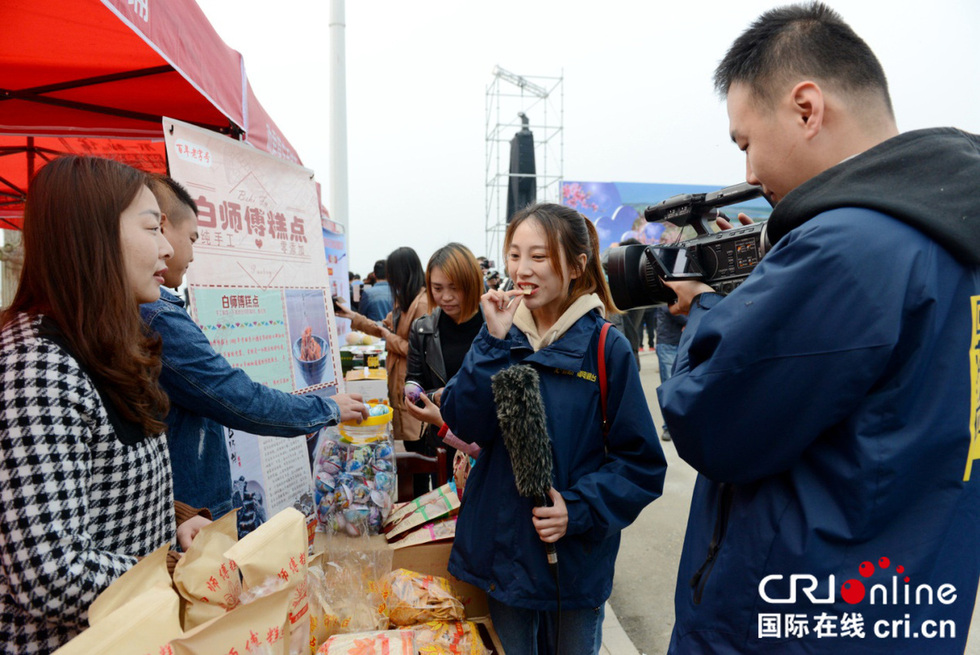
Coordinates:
(496, 547)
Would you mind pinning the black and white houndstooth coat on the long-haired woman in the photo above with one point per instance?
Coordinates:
(77, 506)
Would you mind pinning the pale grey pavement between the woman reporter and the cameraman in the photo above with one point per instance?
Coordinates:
(642, 603)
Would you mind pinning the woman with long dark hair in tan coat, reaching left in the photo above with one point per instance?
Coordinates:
(407, 281)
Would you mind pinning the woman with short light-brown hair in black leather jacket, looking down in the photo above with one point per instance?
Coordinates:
(439, 340)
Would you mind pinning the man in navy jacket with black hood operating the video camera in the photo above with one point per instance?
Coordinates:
(827, 403)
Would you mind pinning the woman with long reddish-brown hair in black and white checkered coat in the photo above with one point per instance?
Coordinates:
(84, 472)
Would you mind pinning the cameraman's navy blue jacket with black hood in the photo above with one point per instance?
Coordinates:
(829, 405)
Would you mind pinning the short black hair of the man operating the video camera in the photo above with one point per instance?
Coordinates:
(809, 40)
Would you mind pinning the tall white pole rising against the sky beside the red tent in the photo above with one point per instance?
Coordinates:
(337, 203)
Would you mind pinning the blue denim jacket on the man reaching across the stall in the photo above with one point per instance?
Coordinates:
(206, 393)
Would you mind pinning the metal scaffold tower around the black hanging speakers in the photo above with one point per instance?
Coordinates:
(542, 101)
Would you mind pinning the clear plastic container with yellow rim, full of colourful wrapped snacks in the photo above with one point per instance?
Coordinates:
(354, 475)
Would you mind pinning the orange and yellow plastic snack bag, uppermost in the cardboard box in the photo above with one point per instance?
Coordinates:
(415, 598)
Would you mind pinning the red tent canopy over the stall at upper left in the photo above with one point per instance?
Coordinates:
(97, 76)
